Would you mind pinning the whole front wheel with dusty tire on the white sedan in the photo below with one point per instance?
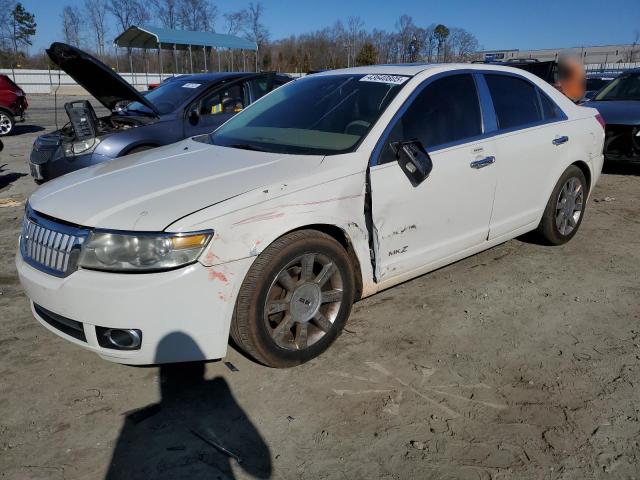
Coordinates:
(295, 300)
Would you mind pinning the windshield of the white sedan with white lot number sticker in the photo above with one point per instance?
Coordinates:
(319, 114)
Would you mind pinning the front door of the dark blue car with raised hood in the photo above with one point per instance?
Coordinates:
(215, 108)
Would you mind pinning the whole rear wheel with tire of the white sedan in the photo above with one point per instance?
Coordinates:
(565, 209)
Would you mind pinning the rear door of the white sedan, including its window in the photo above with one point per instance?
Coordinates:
(532, 139)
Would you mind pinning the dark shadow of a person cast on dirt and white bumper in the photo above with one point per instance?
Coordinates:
(196, 431)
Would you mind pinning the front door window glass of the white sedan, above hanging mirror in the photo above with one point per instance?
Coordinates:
(446, 111)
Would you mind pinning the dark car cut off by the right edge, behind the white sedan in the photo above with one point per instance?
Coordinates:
(619, 104)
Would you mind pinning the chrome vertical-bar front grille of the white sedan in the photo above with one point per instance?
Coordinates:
(50, 246)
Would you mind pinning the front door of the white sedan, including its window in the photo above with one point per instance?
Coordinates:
(449, 212)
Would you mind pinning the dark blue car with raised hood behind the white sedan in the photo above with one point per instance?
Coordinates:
(185, 106)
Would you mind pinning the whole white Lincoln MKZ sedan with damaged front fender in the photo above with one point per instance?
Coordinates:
(326, 191)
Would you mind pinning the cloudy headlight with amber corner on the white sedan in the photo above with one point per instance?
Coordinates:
(123, 252)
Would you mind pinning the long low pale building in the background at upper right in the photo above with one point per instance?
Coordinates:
(601, 54)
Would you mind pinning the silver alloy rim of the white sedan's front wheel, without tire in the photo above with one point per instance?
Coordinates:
(303, 301)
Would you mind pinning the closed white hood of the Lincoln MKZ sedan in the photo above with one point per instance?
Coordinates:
(148, 191)
